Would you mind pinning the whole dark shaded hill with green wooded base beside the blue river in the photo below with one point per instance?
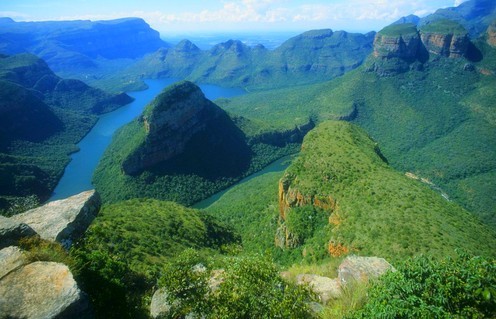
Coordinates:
(182, 148)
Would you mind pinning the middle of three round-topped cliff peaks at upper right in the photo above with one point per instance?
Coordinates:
(446, 38)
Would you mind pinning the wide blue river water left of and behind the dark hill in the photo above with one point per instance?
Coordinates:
(77, 175)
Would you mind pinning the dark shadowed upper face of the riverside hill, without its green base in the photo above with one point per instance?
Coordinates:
(181, 116)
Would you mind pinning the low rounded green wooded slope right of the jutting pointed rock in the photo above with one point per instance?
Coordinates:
(145, 233)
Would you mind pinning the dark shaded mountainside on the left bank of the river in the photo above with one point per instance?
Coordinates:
(42, 118)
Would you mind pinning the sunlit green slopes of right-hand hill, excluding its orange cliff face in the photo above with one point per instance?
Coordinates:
(380, 210)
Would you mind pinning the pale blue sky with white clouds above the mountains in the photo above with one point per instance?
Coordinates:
(229, 15)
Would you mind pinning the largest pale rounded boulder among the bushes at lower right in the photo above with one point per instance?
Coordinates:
(362, 269)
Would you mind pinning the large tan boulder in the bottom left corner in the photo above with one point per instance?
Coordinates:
(42, 290)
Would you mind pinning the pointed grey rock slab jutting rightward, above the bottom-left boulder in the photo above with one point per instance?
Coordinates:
(63, 220)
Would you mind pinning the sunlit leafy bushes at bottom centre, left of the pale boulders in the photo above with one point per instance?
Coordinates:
(249, 287)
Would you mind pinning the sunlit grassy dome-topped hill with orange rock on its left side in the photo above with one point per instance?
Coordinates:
(373, 210)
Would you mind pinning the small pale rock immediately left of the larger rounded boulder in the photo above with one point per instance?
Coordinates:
(326, 288)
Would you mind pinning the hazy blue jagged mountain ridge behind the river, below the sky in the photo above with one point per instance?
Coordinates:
(311, 57)
